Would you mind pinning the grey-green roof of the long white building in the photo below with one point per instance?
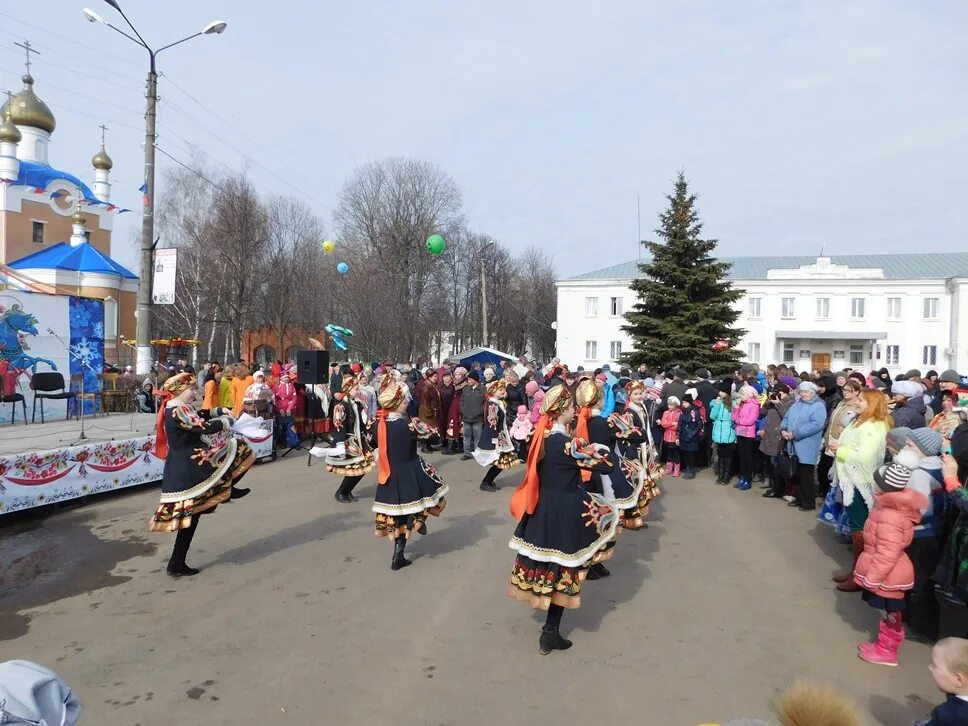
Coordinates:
(936, 265)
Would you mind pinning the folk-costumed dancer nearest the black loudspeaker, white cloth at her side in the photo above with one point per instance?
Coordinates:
(351, 455)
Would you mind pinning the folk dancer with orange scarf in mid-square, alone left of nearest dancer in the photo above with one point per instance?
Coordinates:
(409, 489)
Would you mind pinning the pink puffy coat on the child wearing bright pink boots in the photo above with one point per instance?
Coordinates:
(884, 568)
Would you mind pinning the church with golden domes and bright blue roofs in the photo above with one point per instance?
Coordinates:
(55, 229)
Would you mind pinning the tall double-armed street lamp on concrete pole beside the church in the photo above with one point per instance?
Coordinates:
(143, 362)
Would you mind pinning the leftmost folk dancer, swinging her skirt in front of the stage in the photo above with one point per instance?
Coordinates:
(198, 475)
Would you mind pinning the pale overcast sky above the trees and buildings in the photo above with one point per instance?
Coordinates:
(799, 124)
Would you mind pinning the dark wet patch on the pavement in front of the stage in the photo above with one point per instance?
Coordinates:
(51, 558)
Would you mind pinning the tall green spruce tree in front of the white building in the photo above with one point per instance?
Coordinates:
(685, 299)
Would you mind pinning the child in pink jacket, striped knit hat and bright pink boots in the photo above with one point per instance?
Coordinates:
(884, 570)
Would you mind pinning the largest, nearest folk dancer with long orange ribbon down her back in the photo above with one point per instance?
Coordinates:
(562, 526)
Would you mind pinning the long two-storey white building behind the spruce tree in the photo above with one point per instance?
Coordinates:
(863, 311)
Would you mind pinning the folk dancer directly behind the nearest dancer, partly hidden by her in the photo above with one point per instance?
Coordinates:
(623, 483)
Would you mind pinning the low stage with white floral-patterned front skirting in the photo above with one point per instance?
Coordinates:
(42, 464)
